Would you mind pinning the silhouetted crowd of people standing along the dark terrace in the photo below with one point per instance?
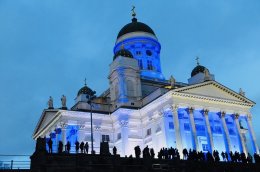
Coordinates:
(168, 153)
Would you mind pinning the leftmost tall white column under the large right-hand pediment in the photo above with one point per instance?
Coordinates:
(177, 129)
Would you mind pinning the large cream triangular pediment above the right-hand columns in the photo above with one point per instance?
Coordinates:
(213, 89)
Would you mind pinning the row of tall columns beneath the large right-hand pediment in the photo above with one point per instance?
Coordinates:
(226, 134)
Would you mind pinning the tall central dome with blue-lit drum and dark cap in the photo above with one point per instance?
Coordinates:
(141, 42)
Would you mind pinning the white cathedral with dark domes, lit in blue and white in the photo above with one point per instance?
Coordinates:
(141, 107)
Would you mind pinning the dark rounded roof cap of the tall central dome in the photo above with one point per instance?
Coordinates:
(135, 26)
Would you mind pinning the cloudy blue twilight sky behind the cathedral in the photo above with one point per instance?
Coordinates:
(48, 48)
